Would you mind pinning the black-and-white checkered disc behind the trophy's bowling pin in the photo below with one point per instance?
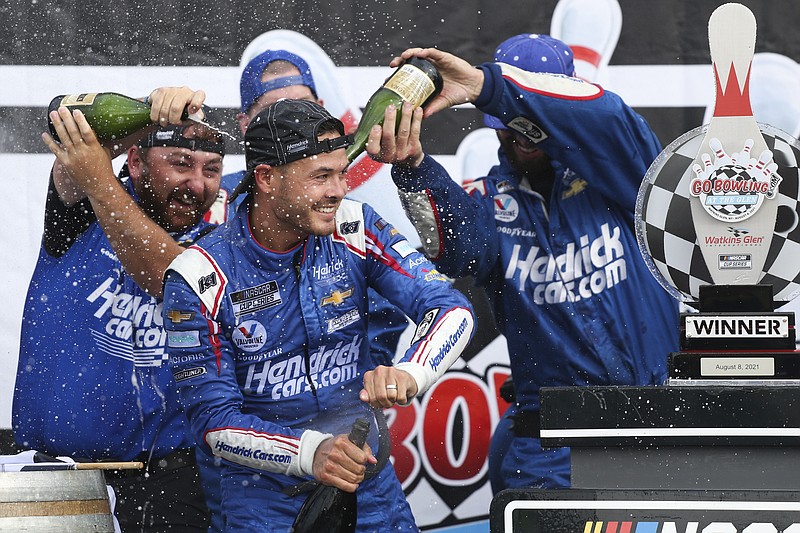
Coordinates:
(665, 229)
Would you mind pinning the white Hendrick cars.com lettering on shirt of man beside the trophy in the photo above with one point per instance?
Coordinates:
(585, 269)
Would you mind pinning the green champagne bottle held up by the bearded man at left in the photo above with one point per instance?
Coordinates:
(111, 115)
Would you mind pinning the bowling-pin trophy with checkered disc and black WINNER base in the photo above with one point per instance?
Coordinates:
(716, 220)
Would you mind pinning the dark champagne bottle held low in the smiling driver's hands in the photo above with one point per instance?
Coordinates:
(330, 509)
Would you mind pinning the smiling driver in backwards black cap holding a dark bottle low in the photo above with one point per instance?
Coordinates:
(271, 348)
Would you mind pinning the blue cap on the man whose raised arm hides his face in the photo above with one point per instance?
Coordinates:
(533, 52)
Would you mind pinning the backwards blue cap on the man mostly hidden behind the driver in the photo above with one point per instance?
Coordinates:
(251, 86)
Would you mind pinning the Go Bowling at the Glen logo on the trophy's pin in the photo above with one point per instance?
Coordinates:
(732, 188)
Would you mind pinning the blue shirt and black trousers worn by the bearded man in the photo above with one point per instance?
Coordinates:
(92, 380)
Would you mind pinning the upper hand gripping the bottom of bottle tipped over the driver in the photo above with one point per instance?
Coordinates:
(462, 81)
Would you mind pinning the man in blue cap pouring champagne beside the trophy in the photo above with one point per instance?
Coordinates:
(549, 232)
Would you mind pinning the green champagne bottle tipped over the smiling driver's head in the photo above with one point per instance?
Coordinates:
(416, 81)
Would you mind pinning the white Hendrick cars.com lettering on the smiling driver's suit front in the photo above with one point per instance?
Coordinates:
(286, 376)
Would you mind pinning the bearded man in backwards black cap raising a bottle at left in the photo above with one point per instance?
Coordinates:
(93, 382)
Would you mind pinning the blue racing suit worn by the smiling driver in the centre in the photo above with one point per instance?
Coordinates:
(269, 349)
